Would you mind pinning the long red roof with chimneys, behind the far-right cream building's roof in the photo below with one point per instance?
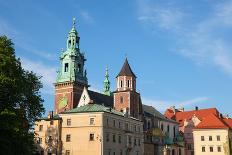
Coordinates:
(180, 116)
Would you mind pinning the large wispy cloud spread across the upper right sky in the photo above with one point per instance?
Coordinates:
(205, 41)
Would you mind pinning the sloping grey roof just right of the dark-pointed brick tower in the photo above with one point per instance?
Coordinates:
(150, 110)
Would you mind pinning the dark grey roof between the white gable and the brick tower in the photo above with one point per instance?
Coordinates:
(102, 99)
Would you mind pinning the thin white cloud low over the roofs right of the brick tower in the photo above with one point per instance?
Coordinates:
(162, 105)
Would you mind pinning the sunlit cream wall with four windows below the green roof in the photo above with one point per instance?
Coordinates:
(80, 130)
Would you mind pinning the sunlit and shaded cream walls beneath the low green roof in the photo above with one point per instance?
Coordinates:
(80, 130)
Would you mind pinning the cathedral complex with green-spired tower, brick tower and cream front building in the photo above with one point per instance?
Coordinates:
(87, 122)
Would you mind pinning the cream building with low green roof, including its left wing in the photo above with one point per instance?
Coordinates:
(91, 130)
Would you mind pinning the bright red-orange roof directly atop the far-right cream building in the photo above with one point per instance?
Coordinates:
(212, 122)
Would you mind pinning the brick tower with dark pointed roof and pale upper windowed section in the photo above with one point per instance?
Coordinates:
(126, 99)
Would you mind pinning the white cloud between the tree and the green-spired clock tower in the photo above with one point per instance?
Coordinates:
(48, 73)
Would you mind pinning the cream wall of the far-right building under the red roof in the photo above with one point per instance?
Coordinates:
(197, 133)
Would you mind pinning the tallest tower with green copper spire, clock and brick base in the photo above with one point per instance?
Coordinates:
(71, 76)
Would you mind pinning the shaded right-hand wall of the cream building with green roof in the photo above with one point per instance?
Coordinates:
(116, 147)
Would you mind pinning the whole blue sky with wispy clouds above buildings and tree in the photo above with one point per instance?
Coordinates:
(181, 51)
